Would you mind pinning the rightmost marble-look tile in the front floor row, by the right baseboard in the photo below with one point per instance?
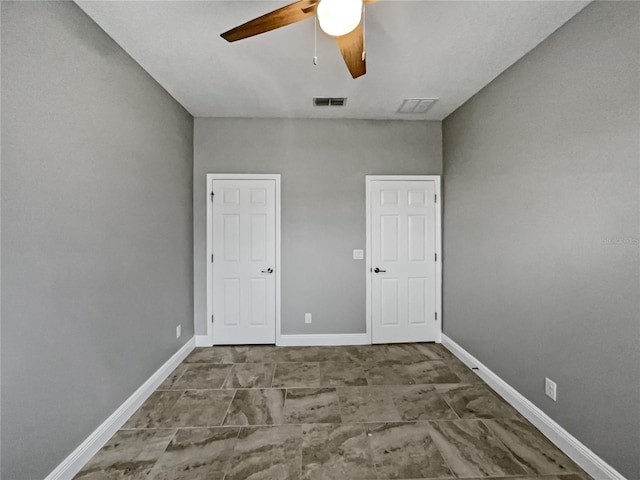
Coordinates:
(532, 449)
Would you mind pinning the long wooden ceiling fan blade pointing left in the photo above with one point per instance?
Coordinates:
(278, 18)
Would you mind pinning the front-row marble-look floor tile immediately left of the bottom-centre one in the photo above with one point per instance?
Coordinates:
(267, 453)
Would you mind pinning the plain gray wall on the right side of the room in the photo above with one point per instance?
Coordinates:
(541, 228)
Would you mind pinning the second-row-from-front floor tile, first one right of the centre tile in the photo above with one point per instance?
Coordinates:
(367, 404)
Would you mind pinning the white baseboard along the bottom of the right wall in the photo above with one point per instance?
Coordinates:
(571, 446)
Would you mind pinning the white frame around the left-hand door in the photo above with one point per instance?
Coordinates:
(209, 190)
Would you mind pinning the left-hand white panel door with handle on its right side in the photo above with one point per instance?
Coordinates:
(244, 261)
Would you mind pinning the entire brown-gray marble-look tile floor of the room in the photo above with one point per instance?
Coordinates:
(401, 411)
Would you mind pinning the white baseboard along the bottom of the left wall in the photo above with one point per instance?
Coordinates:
(94, 442)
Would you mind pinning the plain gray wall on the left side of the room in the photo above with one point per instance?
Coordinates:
(97, 231)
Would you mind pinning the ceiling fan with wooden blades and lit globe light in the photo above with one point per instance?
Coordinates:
(341, 19)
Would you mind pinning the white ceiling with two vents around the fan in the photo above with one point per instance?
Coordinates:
(443, 49)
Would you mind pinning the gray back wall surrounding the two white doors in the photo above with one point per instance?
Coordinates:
(323, 164)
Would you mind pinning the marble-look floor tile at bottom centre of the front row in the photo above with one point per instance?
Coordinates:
(336, 452)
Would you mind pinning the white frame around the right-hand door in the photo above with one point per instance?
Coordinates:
(438, 220)
